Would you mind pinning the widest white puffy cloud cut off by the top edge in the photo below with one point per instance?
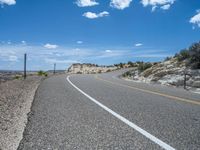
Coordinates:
(163, 4)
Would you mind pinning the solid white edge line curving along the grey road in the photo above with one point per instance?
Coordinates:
(132, 125)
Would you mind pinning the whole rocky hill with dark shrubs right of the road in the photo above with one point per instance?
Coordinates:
(172, 71)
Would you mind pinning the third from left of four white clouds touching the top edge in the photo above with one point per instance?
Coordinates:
(120, 4)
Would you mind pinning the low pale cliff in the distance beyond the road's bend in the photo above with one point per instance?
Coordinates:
(89, 69)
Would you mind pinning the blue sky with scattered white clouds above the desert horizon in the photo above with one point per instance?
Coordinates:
(94, 31)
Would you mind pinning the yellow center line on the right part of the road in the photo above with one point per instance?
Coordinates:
(152, 92)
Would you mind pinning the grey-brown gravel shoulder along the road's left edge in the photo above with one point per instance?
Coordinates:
(16, 97)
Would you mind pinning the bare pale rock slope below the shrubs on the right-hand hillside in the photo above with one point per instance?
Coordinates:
(169, 72)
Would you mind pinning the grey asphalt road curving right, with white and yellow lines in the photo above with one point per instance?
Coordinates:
(106, 112)
